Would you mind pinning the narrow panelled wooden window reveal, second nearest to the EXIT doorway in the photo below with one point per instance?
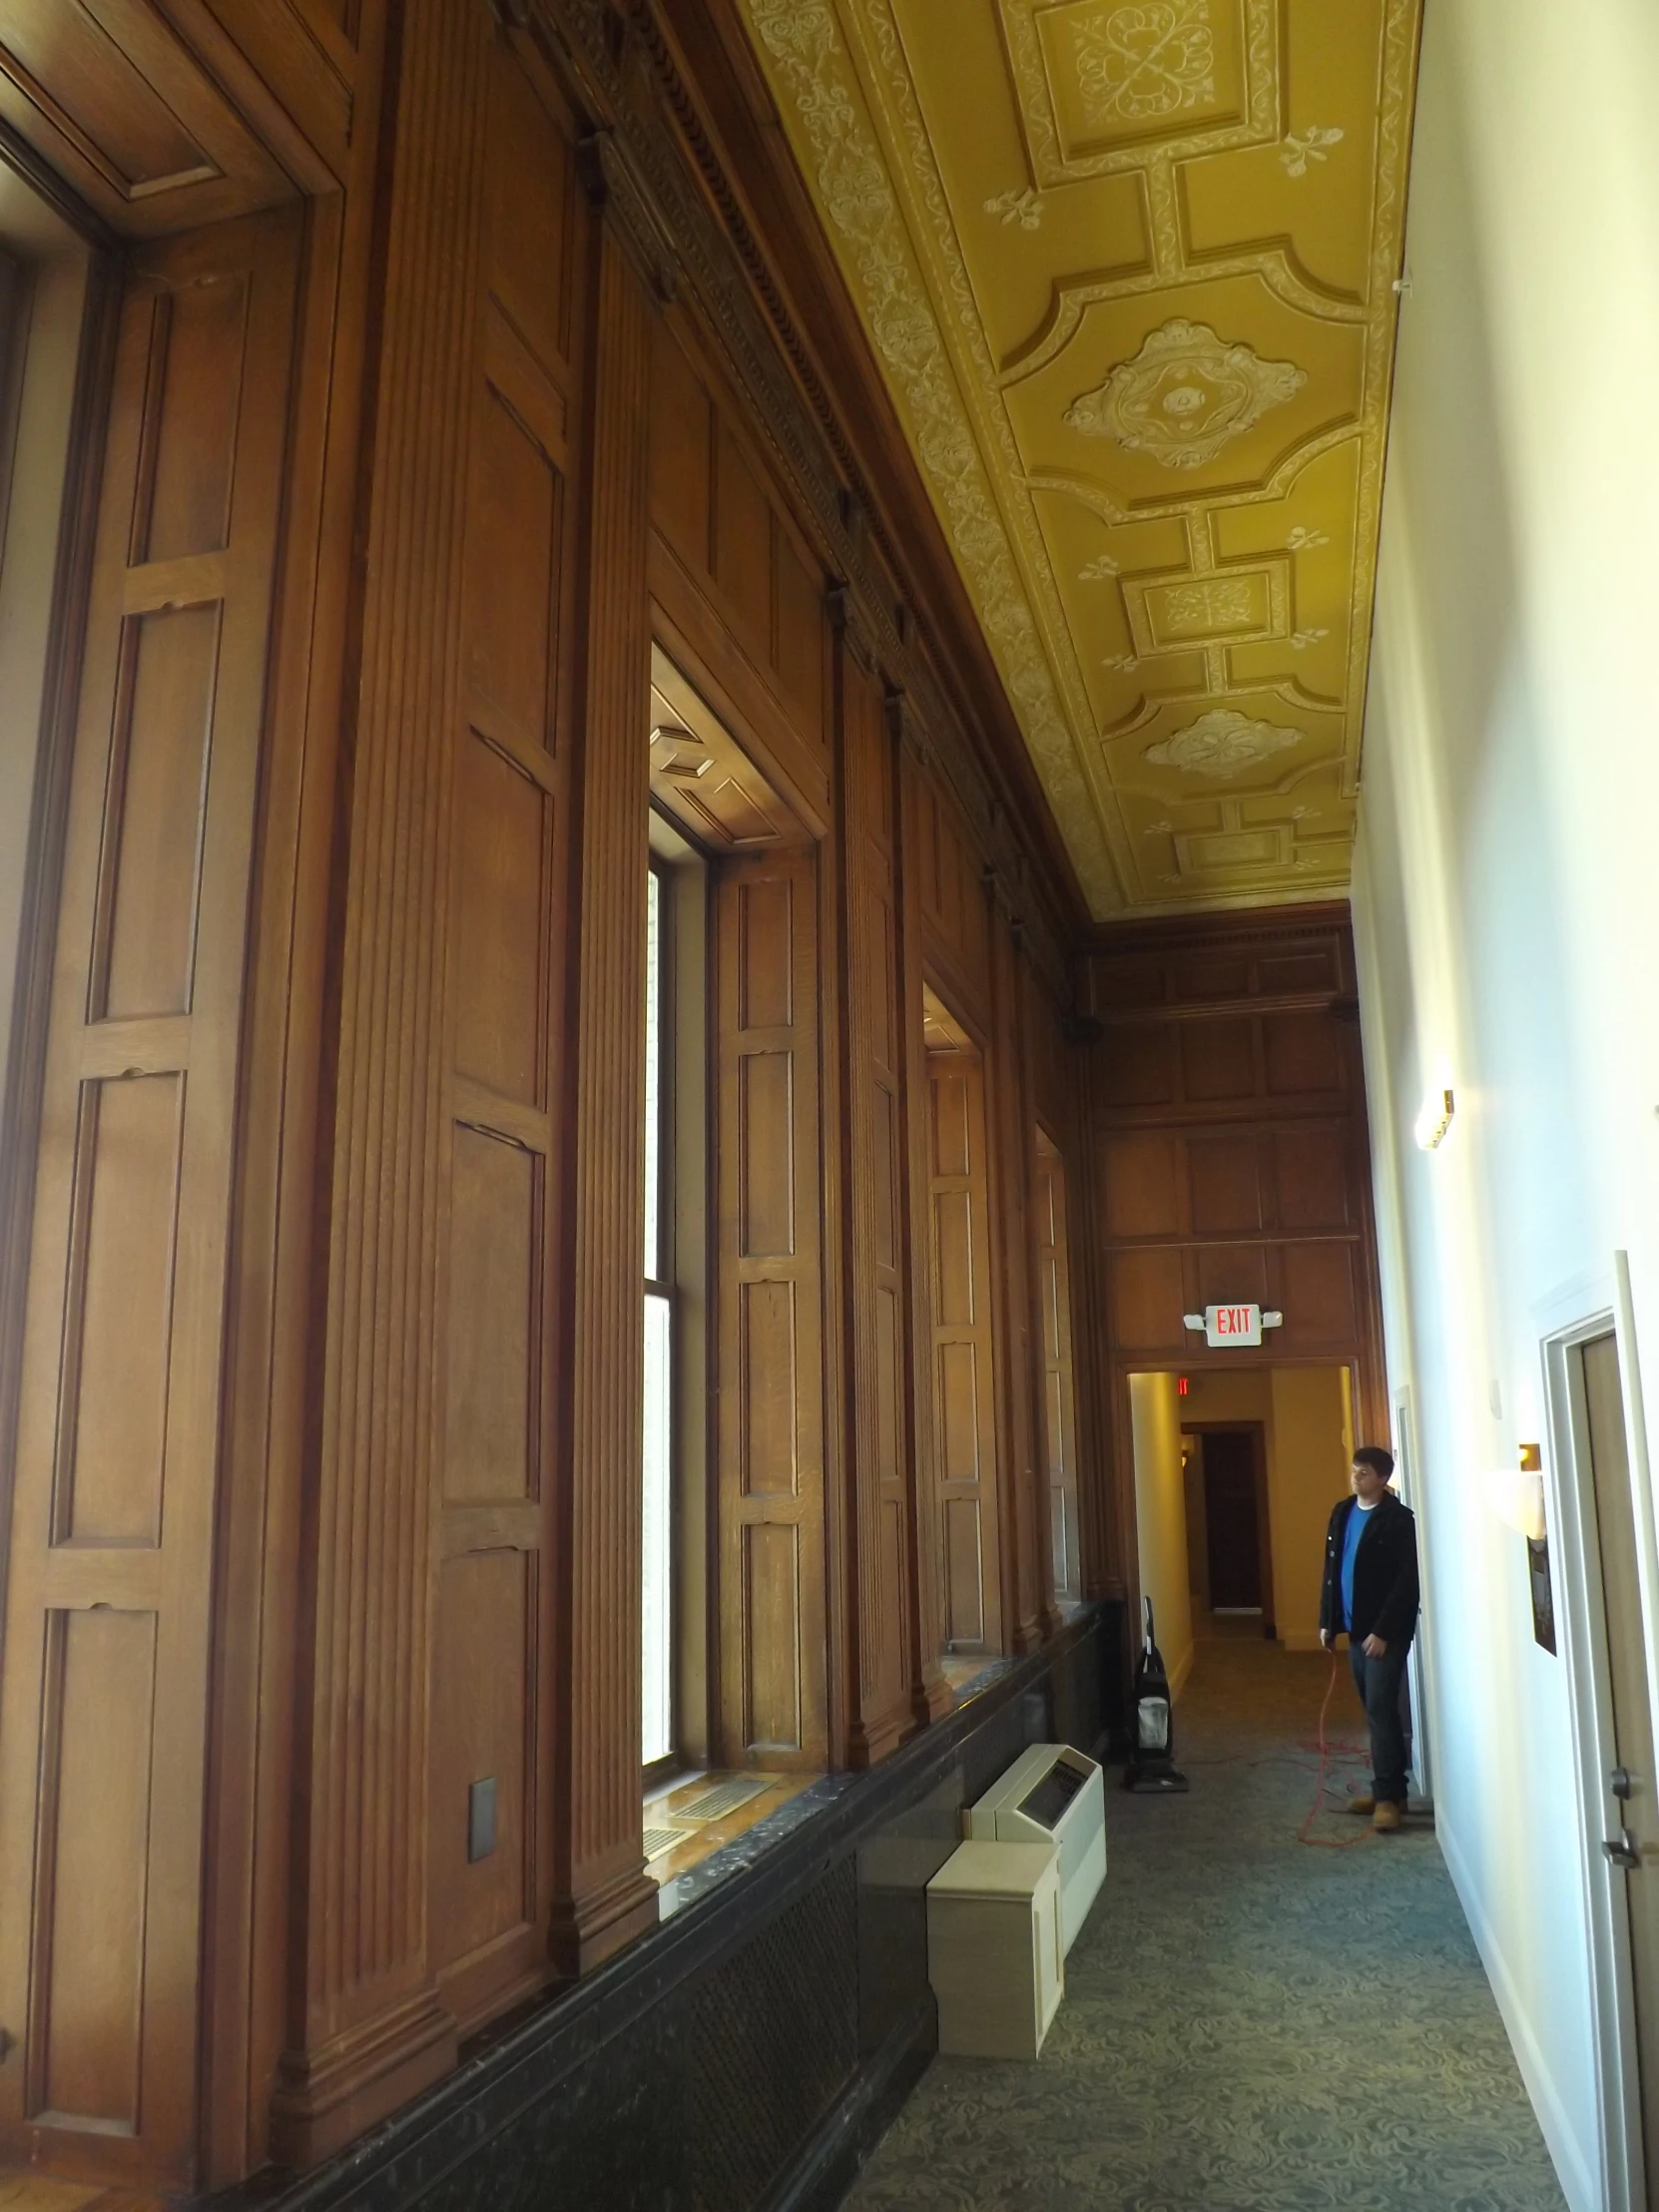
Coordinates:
(963, 1353)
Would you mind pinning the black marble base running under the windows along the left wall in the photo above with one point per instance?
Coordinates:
(747, 2054)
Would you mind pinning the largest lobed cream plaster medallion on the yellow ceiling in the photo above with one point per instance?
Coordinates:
(1185, 395)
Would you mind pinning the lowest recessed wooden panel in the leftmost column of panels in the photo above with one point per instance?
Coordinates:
(96, 1828)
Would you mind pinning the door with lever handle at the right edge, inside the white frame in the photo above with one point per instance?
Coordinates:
(1627, 1819)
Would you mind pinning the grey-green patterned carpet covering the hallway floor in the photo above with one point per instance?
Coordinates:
(1249, 2025)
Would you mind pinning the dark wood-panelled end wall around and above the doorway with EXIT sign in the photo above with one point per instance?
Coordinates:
(1231, 1154)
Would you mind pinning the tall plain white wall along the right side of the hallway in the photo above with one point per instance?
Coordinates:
(1507, 906)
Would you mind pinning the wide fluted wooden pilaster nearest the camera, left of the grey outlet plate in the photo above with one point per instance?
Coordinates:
(366, 2025)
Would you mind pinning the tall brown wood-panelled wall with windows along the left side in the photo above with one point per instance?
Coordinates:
(326, 1523)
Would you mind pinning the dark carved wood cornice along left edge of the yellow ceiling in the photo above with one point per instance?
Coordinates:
(724, 271)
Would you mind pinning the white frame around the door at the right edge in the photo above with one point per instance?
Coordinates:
(1576, 1572)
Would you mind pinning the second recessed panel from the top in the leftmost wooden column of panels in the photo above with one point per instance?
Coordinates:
(158, 797)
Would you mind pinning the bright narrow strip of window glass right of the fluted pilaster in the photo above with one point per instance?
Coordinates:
(658, 1640)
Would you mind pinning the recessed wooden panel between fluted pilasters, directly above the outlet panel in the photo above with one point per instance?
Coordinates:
(494, 1319)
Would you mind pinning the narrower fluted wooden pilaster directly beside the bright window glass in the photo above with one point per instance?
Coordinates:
(603, 1895)
